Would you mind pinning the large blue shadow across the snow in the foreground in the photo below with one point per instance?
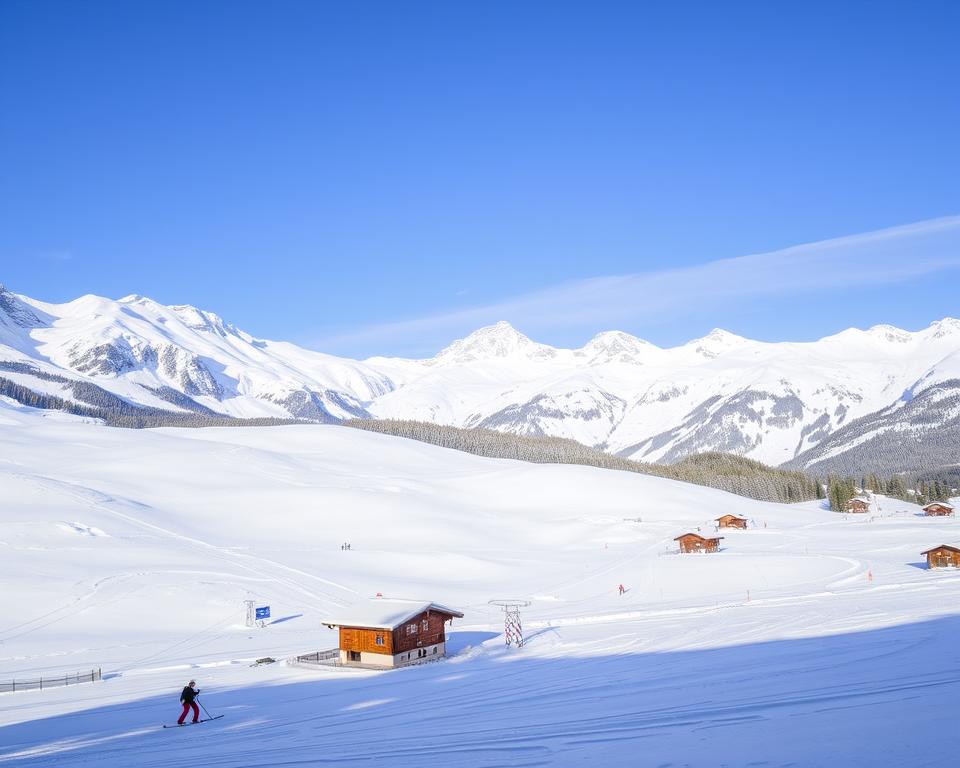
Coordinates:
(881, 697)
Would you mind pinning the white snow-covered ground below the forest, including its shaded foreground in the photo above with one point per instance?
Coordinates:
(812, 639)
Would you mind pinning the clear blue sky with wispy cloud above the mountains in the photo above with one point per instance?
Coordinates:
(383, 177)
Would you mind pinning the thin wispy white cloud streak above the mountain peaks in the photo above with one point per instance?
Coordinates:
(886, 256)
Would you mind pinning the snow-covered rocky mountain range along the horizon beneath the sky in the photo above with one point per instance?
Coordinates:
(772, 402)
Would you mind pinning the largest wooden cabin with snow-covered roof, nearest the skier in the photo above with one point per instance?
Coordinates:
(393, 633)
